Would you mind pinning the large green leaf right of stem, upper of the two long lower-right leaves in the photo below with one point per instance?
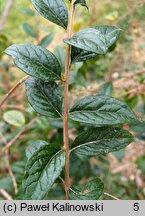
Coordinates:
(102, 110)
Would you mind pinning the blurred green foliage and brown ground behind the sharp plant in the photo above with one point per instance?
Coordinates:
(123, 72)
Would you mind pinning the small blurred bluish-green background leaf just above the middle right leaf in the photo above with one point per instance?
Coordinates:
(106, 89)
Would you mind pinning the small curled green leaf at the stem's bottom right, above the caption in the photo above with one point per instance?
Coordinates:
(92, 191)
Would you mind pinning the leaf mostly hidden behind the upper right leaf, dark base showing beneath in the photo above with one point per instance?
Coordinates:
(110, 35)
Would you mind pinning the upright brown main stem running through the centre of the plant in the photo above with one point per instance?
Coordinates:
(66, 102)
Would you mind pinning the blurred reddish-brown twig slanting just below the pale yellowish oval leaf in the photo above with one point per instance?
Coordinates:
(17, 136)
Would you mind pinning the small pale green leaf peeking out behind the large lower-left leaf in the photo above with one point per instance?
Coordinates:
(34, 147)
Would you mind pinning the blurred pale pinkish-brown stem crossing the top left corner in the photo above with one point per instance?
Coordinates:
(5, 13)
